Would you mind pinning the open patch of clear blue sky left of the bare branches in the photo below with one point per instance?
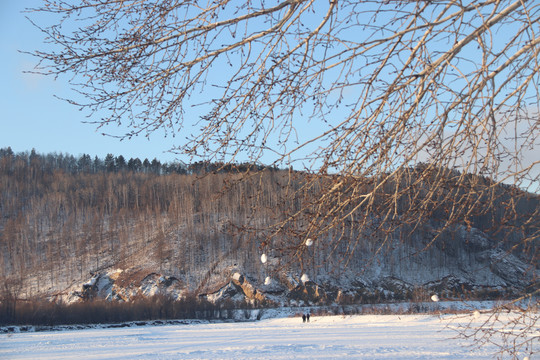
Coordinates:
(32, 117)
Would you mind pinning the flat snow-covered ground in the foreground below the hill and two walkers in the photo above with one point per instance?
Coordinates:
(330, 337)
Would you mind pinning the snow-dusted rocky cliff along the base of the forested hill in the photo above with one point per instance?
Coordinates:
(471, 269)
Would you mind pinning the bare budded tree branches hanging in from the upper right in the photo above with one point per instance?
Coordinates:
(423, 108)
